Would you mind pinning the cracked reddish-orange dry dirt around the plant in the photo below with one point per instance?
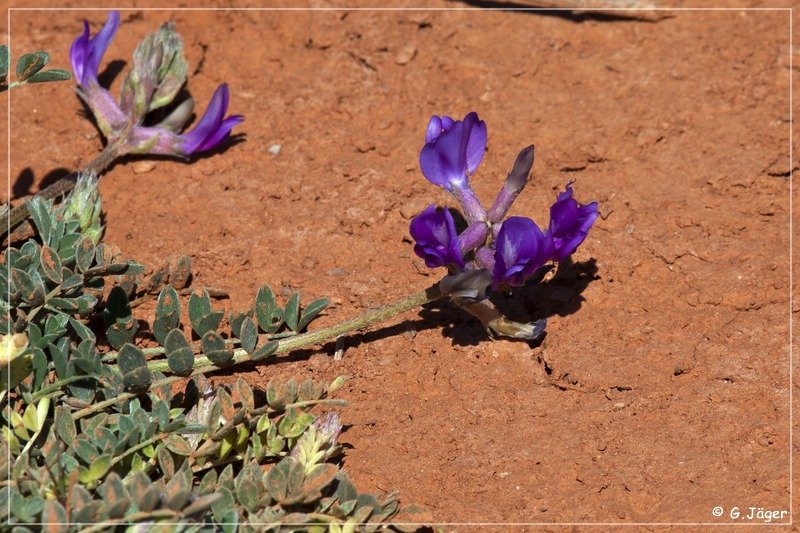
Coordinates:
(661, 389)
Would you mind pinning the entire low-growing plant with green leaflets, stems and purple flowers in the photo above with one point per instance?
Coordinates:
(108, 423)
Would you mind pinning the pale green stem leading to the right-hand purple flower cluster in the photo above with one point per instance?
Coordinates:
(203, 365)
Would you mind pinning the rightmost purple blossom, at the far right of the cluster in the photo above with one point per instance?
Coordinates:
(569, 223)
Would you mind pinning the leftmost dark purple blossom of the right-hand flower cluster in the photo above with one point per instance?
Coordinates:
(437, 240)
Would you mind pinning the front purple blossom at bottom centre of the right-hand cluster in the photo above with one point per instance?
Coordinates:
(520, 249)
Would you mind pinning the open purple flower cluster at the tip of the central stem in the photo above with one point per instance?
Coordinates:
(512, 248)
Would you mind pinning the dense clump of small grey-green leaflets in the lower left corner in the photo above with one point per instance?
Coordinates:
(95, 429)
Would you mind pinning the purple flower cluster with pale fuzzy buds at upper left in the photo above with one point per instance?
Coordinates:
(155, 85)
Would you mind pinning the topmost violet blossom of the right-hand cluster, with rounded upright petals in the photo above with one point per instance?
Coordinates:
(453, 150)
